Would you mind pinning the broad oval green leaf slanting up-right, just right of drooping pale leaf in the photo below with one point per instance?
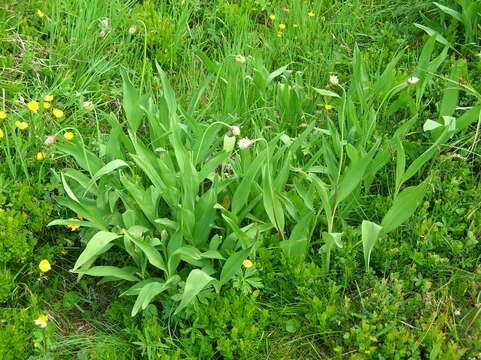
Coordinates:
(403, 207)
